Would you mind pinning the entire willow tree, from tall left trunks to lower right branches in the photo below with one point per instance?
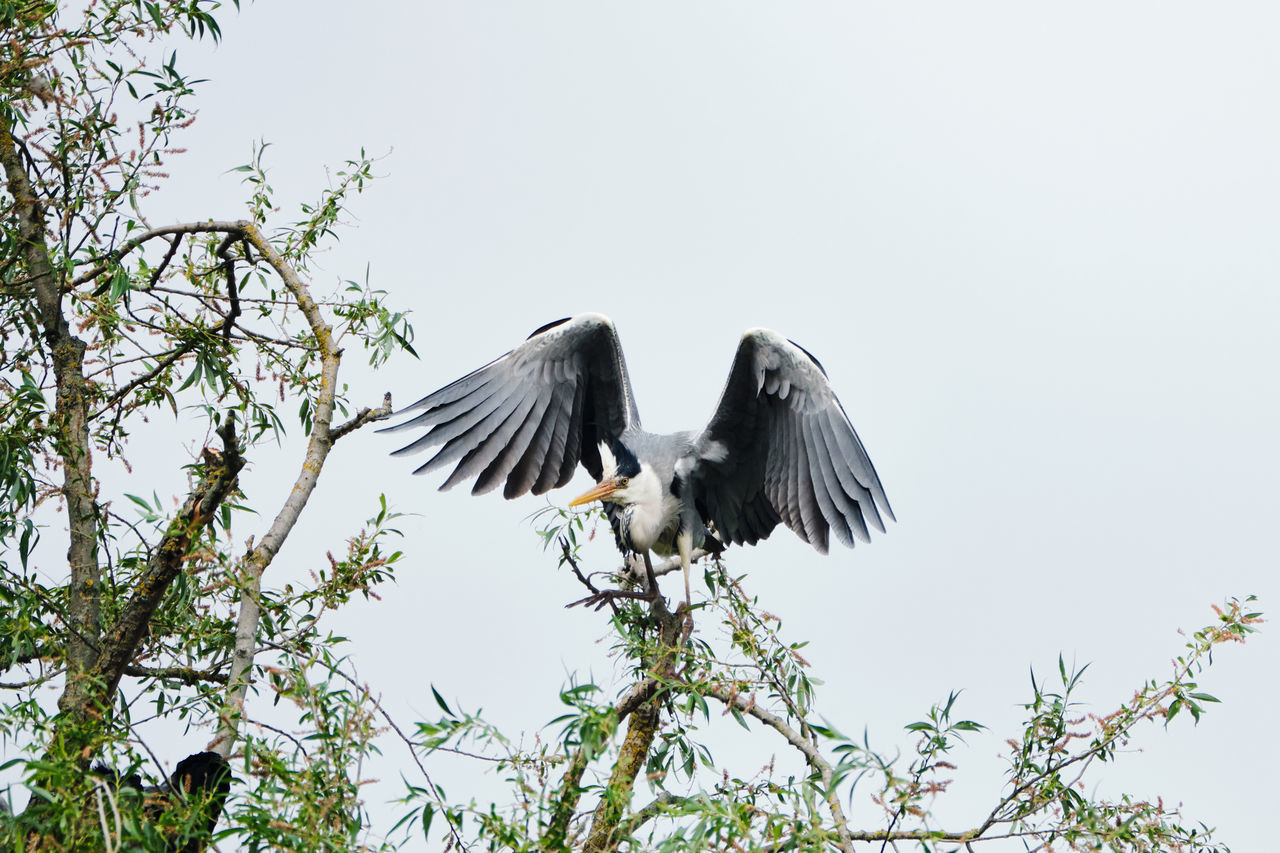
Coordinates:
(113, 326)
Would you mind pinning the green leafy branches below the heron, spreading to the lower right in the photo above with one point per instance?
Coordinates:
(761, 682)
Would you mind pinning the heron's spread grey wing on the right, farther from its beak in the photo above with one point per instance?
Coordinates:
(780, 448)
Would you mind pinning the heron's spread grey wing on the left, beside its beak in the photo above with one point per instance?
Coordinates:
(531, 417)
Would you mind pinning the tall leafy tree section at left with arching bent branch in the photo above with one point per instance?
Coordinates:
(109, 323)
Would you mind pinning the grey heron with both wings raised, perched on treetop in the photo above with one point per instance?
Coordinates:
(778, 449)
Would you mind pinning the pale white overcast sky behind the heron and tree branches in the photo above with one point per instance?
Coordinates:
(1035, 247)
